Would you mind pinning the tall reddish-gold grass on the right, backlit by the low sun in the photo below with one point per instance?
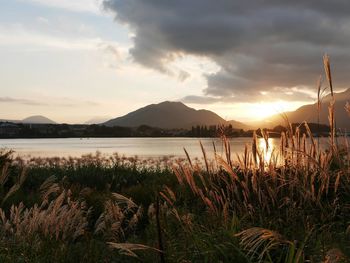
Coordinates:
(296, 202)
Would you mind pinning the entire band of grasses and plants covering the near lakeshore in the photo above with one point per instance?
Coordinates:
(292, 206)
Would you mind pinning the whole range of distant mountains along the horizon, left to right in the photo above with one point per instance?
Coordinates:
(176, 115)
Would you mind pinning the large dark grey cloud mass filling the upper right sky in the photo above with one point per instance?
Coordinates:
(260, 46)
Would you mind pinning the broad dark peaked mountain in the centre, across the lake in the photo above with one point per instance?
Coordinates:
(168, 115)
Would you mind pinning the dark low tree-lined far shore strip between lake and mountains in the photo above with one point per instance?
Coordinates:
(10, 130)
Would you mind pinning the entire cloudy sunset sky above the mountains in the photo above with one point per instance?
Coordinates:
(77, 60)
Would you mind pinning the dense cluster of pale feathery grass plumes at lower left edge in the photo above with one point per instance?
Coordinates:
(59, 220)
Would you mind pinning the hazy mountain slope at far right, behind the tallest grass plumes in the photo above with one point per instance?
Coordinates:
(309, 113)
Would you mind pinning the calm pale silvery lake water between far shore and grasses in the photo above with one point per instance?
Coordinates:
(142, 147)
